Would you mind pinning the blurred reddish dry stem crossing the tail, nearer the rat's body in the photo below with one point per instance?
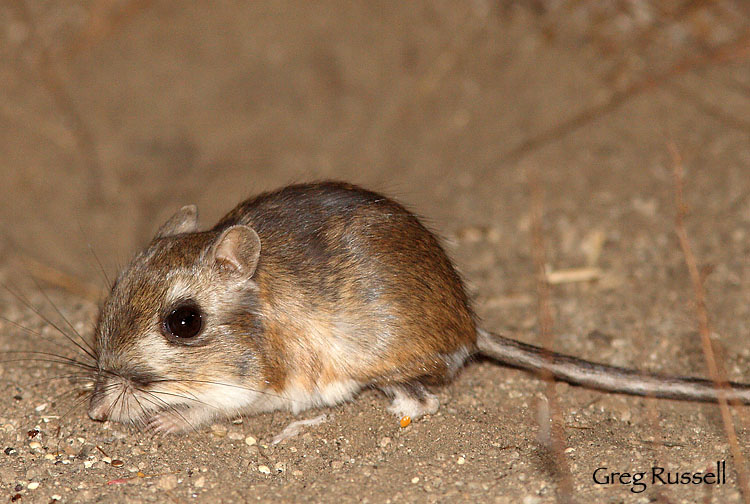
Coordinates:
(557, 433)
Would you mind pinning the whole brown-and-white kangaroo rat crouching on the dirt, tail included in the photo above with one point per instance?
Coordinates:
(298, 298)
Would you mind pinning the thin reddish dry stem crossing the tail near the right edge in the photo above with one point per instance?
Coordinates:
(714, 370)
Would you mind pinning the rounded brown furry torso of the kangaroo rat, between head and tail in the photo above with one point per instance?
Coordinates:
(360, 280)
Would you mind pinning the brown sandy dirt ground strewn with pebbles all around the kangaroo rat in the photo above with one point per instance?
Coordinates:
(116, 113)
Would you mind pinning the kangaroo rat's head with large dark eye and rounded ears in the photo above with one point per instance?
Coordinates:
(175, 333)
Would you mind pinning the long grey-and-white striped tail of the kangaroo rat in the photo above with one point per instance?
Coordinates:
(602, 377)
